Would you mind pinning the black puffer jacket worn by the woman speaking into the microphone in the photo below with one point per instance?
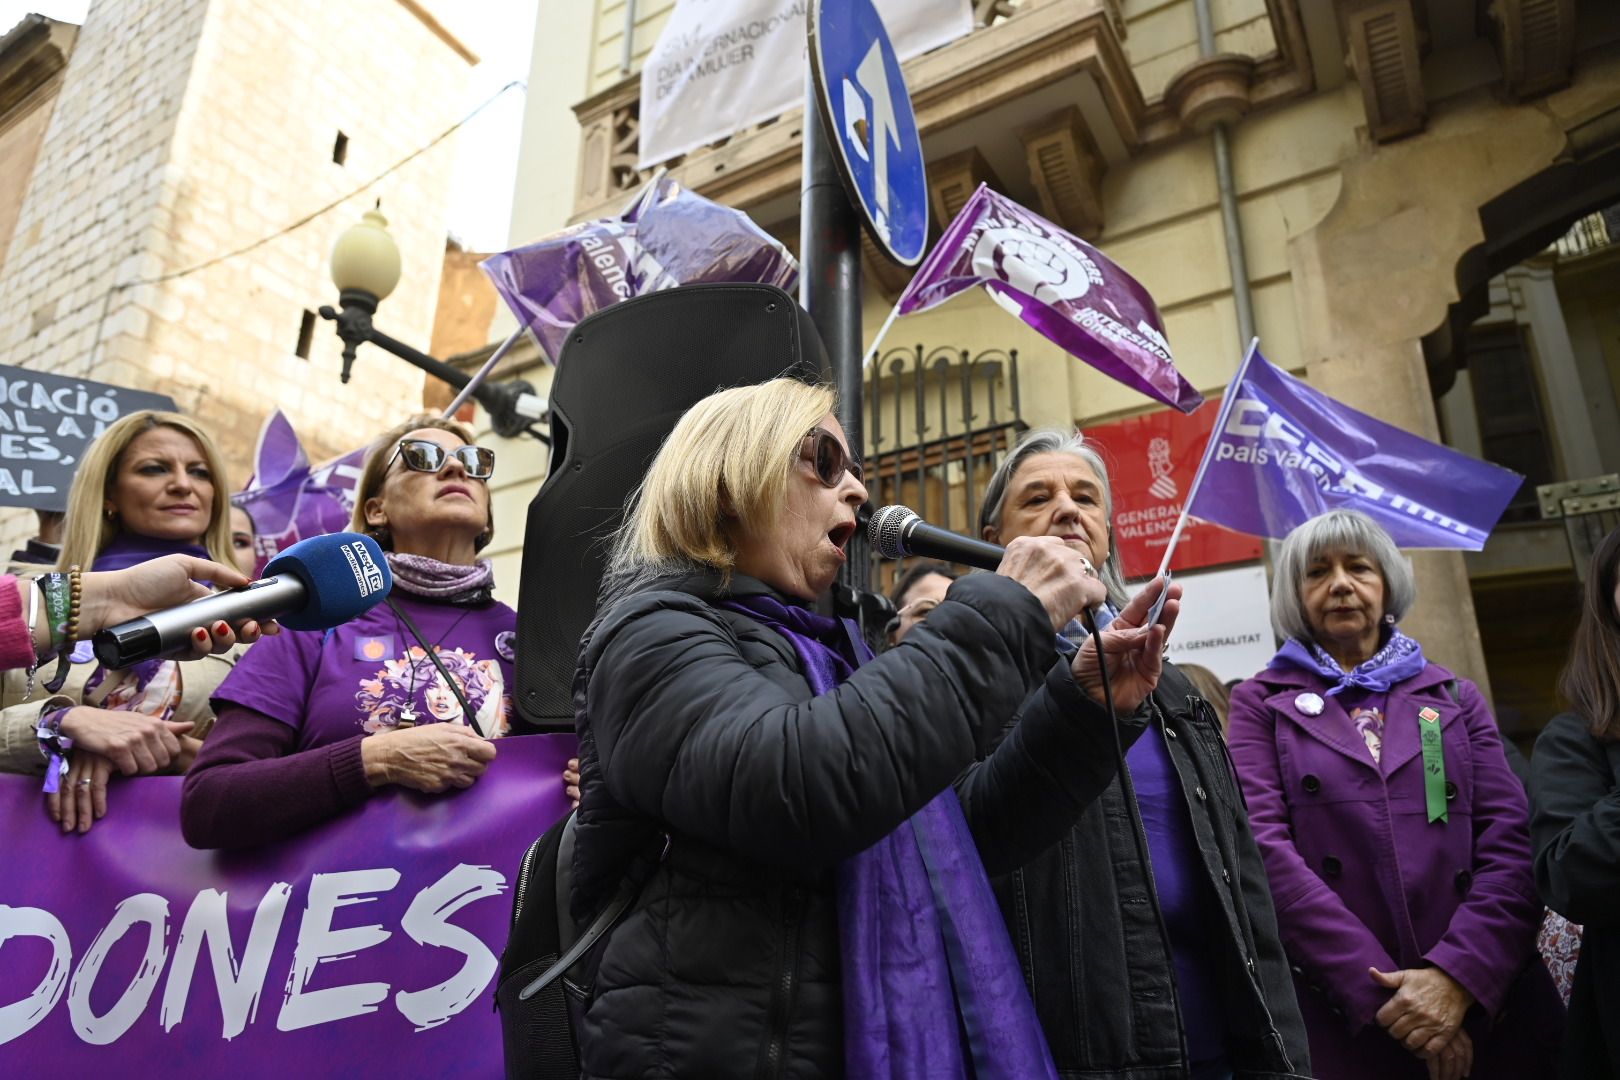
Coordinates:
(697, 725)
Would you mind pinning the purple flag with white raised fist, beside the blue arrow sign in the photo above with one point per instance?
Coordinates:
(1060, 286)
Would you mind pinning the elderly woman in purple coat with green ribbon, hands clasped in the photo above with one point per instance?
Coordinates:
(1392, 830)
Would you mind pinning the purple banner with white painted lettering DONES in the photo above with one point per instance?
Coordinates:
(365, 948)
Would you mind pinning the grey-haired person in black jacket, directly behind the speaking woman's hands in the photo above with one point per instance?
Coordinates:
(1177, 912)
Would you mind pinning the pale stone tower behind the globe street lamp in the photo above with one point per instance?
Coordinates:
(174, 231)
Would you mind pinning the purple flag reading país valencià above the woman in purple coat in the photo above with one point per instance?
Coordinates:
(1287, 453)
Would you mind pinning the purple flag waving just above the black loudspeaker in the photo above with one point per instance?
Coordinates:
(668, 237)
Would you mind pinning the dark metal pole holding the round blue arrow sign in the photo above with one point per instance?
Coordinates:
(830, 289)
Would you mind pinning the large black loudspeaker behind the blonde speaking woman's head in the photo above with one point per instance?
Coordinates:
(625, 378)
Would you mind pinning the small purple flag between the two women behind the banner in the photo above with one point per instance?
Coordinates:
(288, 500)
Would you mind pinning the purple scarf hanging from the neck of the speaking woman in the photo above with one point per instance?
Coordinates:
(932, 987)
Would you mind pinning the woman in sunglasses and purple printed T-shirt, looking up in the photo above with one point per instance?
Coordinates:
(412, 694)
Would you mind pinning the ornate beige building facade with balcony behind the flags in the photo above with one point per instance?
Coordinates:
(1394, 164)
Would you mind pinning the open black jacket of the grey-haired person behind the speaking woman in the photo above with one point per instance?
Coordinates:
(1091, 943)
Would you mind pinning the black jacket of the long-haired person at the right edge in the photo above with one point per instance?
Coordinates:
(1575, 833)
